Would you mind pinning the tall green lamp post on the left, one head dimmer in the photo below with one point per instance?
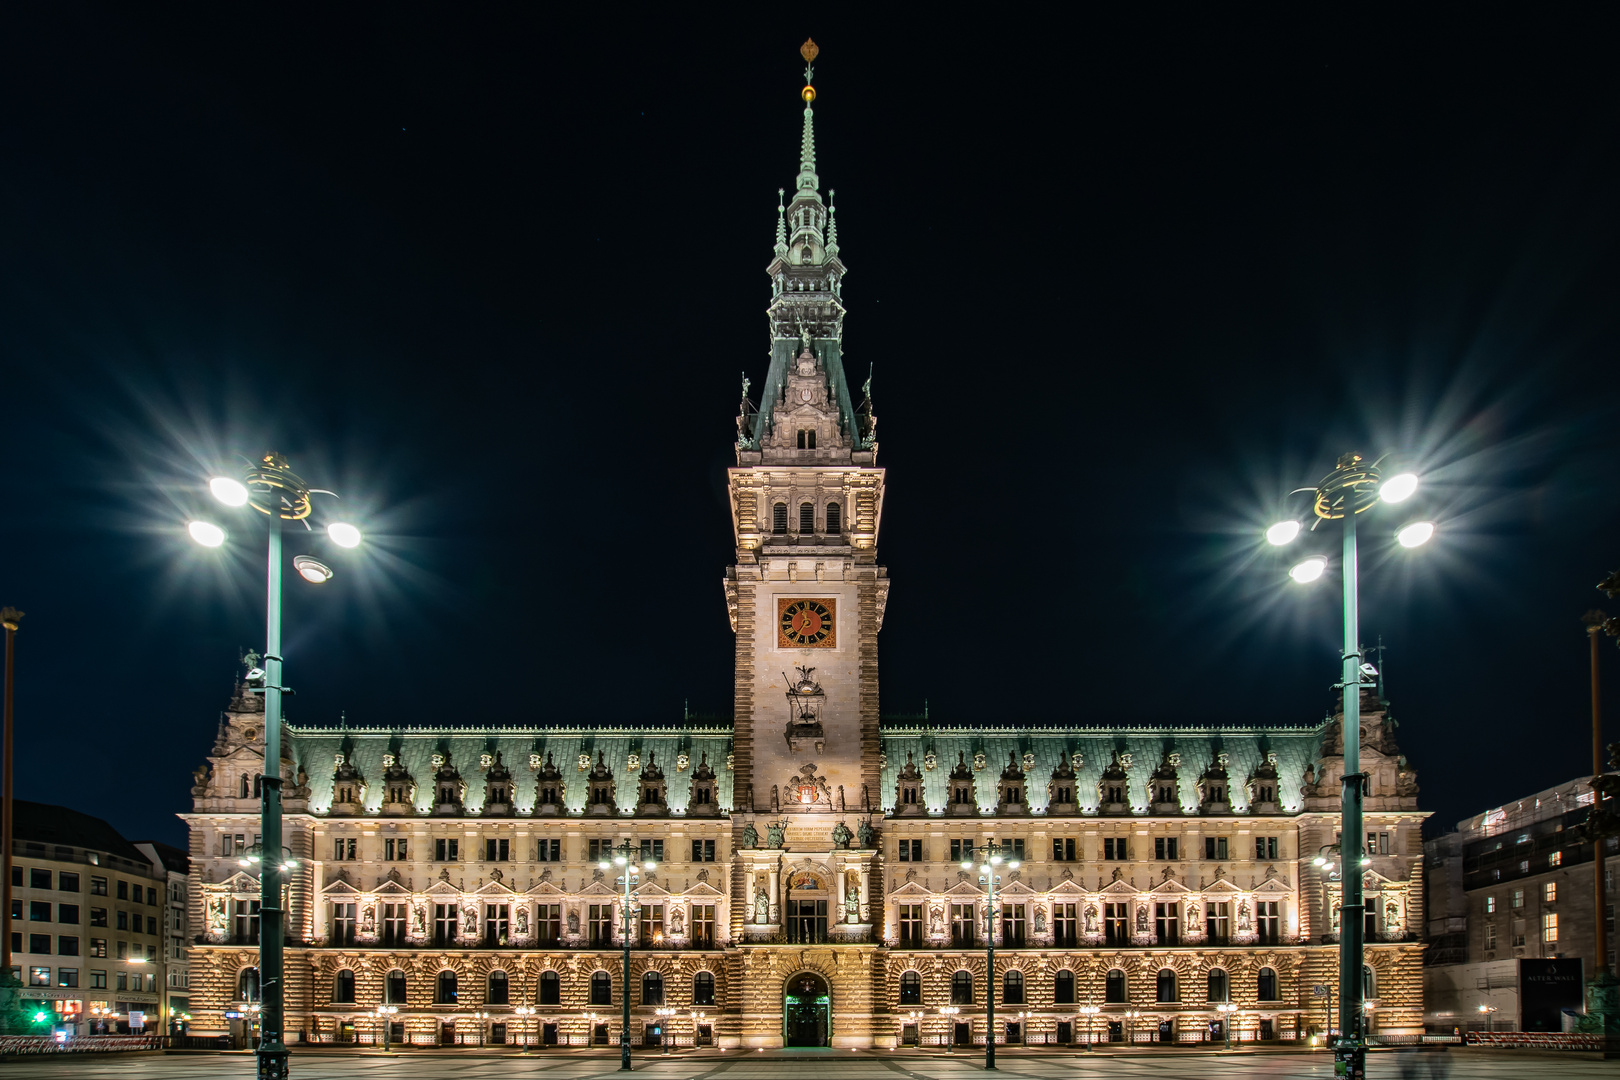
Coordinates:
(271, 488)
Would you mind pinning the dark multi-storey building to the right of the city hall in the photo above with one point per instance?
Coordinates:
(1512, 885)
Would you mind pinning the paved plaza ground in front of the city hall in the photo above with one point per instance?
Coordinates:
(1457, 1065)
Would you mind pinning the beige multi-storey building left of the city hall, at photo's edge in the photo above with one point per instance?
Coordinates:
(87, 922)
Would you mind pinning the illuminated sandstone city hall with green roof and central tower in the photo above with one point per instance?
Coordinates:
(808, 885)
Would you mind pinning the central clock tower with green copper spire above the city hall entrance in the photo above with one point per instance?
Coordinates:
(806, 593)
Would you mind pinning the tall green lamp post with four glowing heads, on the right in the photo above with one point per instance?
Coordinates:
(1350, 490)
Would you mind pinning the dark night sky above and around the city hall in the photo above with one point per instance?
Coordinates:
(495, 278)
